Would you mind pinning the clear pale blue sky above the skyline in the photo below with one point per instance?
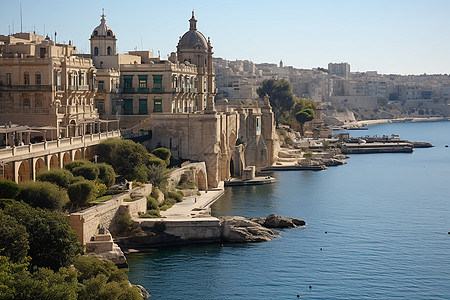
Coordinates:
(388, 36)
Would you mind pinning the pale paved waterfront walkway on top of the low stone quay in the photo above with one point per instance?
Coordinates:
(194, 206)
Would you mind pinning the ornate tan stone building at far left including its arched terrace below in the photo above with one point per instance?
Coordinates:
(47, 112)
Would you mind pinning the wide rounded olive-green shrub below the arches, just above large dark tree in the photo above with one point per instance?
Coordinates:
(42, 194)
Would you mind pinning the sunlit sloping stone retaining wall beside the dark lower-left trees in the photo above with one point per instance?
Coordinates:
(87, 222)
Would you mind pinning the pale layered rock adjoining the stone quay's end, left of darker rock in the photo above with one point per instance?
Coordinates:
(240, 229)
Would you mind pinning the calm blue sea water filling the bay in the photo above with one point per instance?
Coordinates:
(387, 218)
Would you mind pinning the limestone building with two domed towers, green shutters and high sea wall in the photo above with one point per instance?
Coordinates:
(177, 96)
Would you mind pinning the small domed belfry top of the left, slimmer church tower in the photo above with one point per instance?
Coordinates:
(103, 40)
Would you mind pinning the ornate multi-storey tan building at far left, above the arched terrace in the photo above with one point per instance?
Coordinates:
(46, 84)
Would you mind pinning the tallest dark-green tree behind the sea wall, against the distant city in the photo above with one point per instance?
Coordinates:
(280, 95)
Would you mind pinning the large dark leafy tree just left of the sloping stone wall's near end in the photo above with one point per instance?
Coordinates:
(53, 243)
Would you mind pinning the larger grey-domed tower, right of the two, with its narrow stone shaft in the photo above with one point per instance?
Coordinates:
(195, 49)
